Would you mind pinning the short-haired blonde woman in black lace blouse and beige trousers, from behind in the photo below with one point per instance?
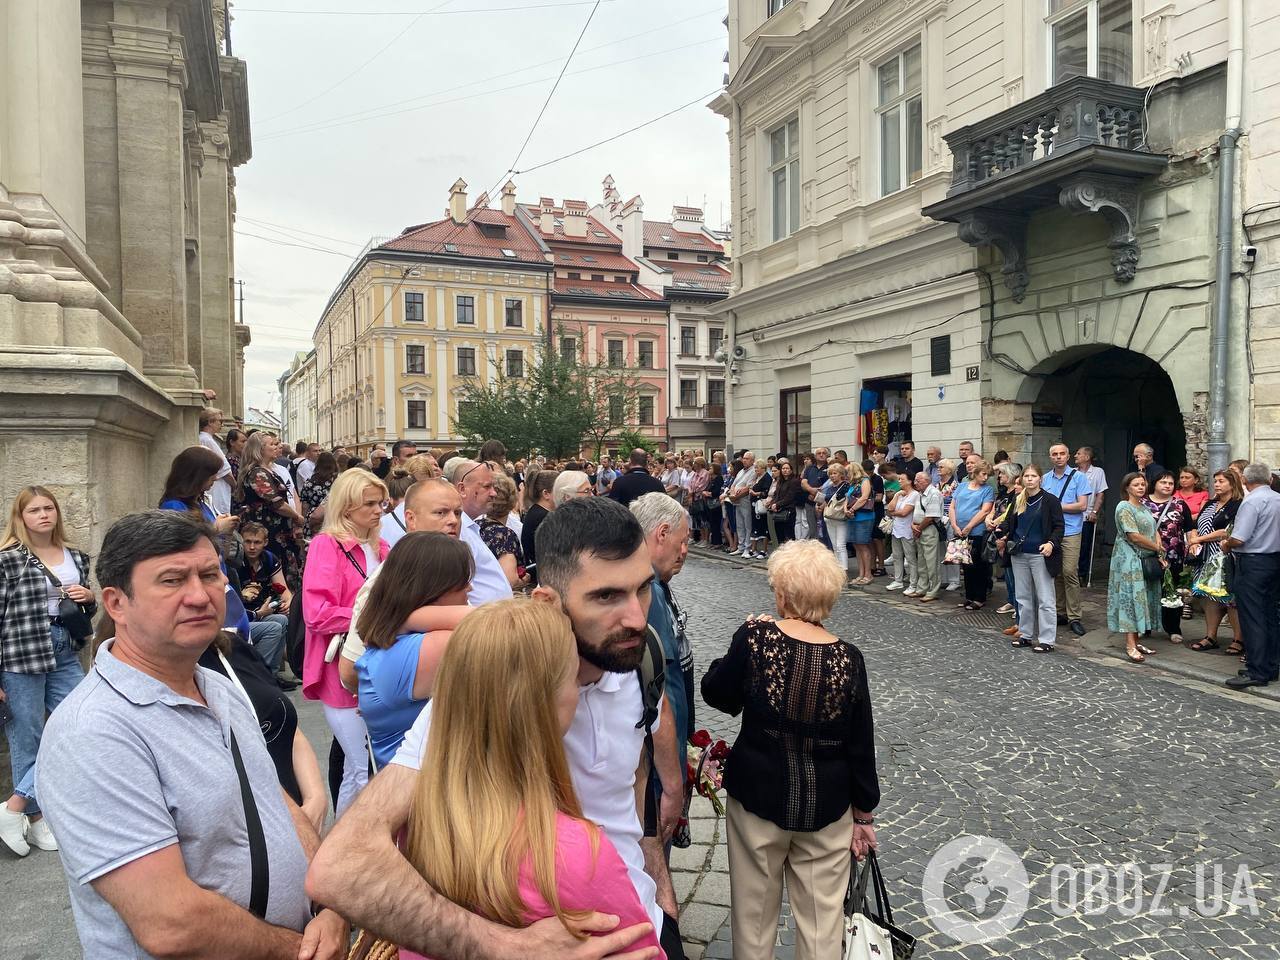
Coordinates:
(802, 775)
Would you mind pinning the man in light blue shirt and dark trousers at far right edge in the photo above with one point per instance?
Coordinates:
(1255, 546)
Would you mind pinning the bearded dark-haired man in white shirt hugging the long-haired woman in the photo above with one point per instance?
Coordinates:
(593, 563)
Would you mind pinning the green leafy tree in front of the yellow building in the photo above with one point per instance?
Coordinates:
(560, 406)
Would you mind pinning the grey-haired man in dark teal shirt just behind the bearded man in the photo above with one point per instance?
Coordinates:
(666, 534)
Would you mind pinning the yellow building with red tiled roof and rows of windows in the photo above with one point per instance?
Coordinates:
(420, 314)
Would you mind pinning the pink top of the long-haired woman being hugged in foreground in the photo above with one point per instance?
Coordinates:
(584, 883)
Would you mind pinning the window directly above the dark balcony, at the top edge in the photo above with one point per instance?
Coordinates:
(1091, 39)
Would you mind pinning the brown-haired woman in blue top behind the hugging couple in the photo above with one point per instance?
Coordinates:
(397, 670)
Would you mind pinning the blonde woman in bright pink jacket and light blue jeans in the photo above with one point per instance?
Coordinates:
(340, 560)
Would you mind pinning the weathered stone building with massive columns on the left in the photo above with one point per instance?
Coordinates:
(121, 126)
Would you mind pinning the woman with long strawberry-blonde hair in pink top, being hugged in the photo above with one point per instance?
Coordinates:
(495, 787)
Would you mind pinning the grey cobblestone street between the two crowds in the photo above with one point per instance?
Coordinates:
(1081, 767)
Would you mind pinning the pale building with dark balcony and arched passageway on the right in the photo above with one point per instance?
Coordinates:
(999, 221)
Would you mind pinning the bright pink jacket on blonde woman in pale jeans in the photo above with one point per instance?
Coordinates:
(330, 586)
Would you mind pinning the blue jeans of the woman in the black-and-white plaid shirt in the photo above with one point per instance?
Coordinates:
(30, 697)
